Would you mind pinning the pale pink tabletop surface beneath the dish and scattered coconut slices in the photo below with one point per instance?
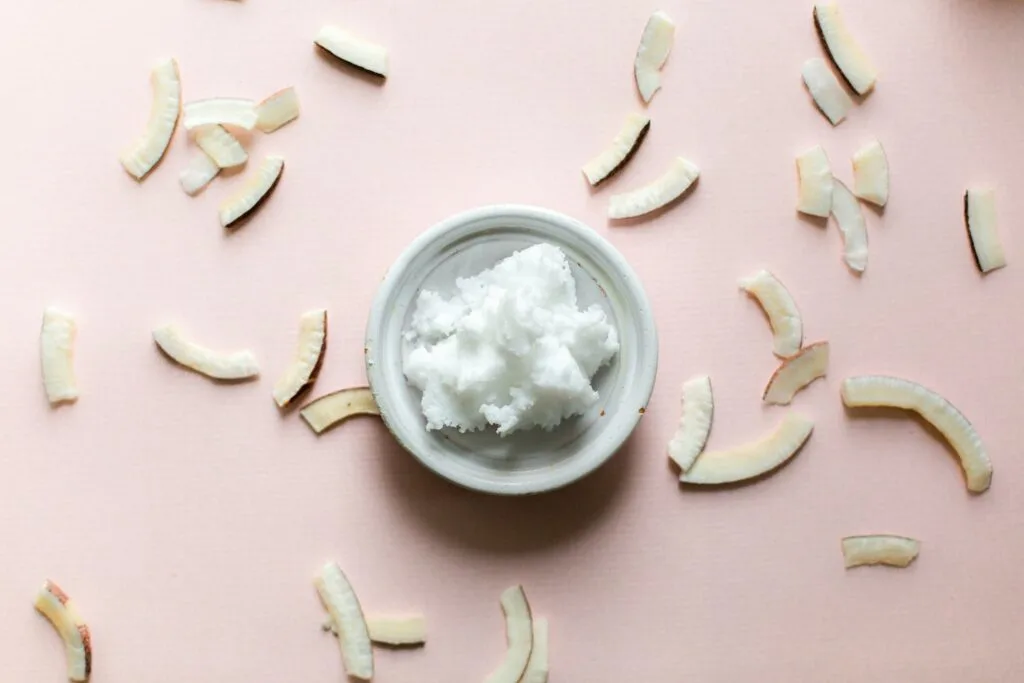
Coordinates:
(188, 519)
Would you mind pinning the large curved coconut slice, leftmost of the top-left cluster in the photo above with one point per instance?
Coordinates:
(147, 152)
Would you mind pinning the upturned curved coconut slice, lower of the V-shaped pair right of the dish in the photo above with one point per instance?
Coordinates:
(753, 460)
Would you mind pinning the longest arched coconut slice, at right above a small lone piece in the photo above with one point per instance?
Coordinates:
(877, 391)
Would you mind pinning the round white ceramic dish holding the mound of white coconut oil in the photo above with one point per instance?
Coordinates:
(530, 461)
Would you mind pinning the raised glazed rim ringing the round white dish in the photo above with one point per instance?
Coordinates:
(627, 278)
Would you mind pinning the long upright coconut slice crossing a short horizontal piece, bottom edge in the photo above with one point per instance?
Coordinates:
(354, 636)
